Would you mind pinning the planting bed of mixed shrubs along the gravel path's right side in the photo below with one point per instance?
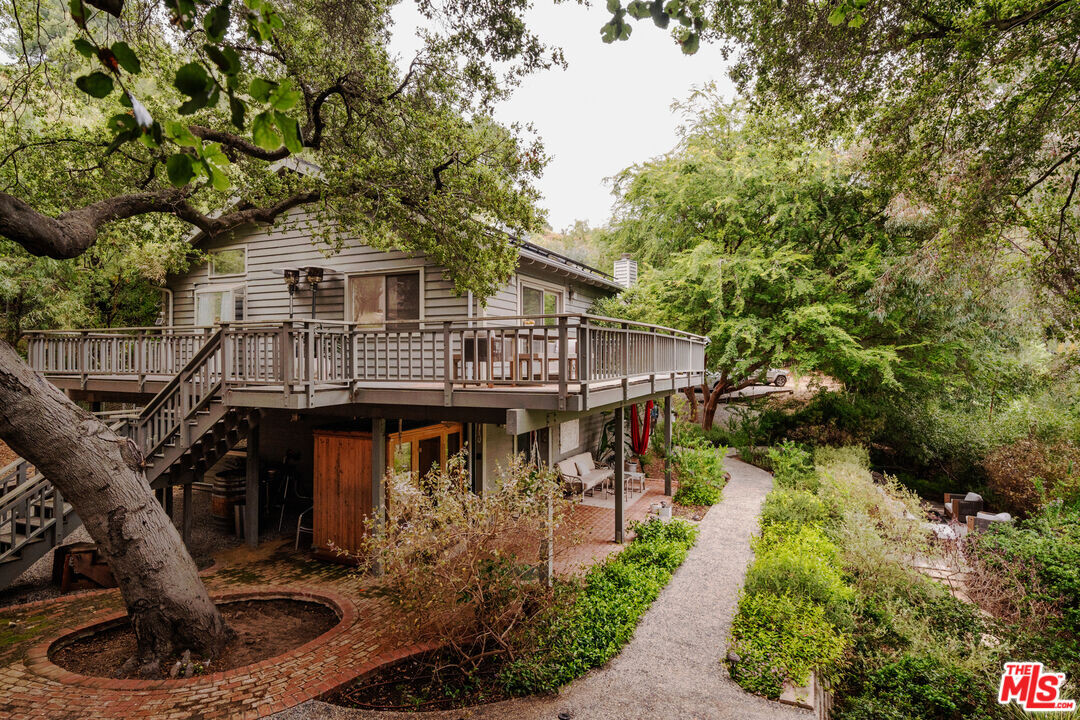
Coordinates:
(833, 591)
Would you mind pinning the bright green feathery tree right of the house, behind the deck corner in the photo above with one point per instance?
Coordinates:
(766, 244)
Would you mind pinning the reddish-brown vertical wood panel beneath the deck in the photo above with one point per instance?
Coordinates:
(343, 487)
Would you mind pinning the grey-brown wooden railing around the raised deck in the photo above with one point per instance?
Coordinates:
(302, 356)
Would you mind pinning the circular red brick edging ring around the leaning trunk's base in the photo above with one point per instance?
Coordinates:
(37, 657)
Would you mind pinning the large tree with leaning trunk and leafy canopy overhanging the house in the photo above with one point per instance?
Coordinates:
(214, 115)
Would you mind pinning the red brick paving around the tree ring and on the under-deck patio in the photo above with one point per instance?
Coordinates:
(33, 688)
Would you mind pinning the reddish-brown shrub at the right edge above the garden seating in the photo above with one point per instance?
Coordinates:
(1028, 473)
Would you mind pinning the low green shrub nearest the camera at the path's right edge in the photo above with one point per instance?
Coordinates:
(778, 639)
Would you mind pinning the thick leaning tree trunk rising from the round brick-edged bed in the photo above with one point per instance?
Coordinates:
(100, 473)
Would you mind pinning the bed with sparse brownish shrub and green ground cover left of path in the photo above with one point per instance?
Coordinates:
(462, 574)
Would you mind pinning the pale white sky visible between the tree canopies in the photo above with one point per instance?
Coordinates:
(610, 110)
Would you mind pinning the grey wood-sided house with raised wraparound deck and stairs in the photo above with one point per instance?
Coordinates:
(346, 364)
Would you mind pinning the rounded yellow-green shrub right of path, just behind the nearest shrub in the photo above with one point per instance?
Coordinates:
(802, 563)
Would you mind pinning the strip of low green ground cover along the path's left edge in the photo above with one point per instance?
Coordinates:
(606, 610)
